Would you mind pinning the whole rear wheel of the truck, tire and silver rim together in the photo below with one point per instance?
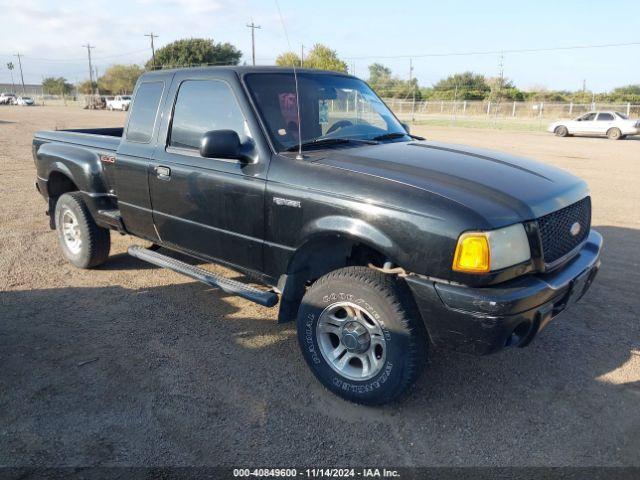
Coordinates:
(82, 241)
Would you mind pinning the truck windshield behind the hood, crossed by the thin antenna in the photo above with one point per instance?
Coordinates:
(331, 107)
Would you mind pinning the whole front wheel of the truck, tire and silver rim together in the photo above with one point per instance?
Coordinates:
(361, 334)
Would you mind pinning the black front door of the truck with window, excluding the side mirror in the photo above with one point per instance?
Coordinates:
(211, 207)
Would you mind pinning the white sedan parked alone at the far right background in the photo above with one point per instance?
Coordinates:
(614, 125)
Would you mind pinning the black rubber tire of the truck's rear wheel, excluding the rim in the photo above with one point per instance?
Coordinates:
(96, 241)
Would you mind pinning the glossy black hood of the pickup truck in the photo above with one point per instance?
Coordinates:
(502, 188)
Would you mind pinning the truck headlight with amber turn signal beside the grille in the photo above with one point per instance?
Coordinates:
(483, 252)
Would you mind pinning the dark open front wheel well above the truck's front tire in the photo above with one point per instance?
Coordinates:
(317, 258)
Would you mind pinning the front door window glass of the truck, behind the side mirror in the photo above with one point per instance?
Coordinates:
(201, 106)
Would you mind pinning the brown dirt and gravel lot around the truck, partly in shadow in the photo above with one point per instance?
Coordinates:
(133, 365)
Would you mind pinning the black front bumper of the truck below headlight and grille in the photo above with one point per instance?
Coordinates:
(485, 320)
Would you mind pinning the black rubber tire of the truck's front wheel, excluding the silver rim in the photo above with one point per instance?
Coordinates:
(390, 301)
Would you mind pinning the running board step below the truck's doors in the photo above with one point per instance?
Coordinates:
(232, 287)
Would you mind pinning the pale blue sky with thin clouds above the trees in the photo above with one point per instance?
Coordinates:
(50, 34)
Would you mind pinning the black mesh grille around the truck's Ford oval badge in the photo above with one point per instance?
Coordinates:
(555, 230)
